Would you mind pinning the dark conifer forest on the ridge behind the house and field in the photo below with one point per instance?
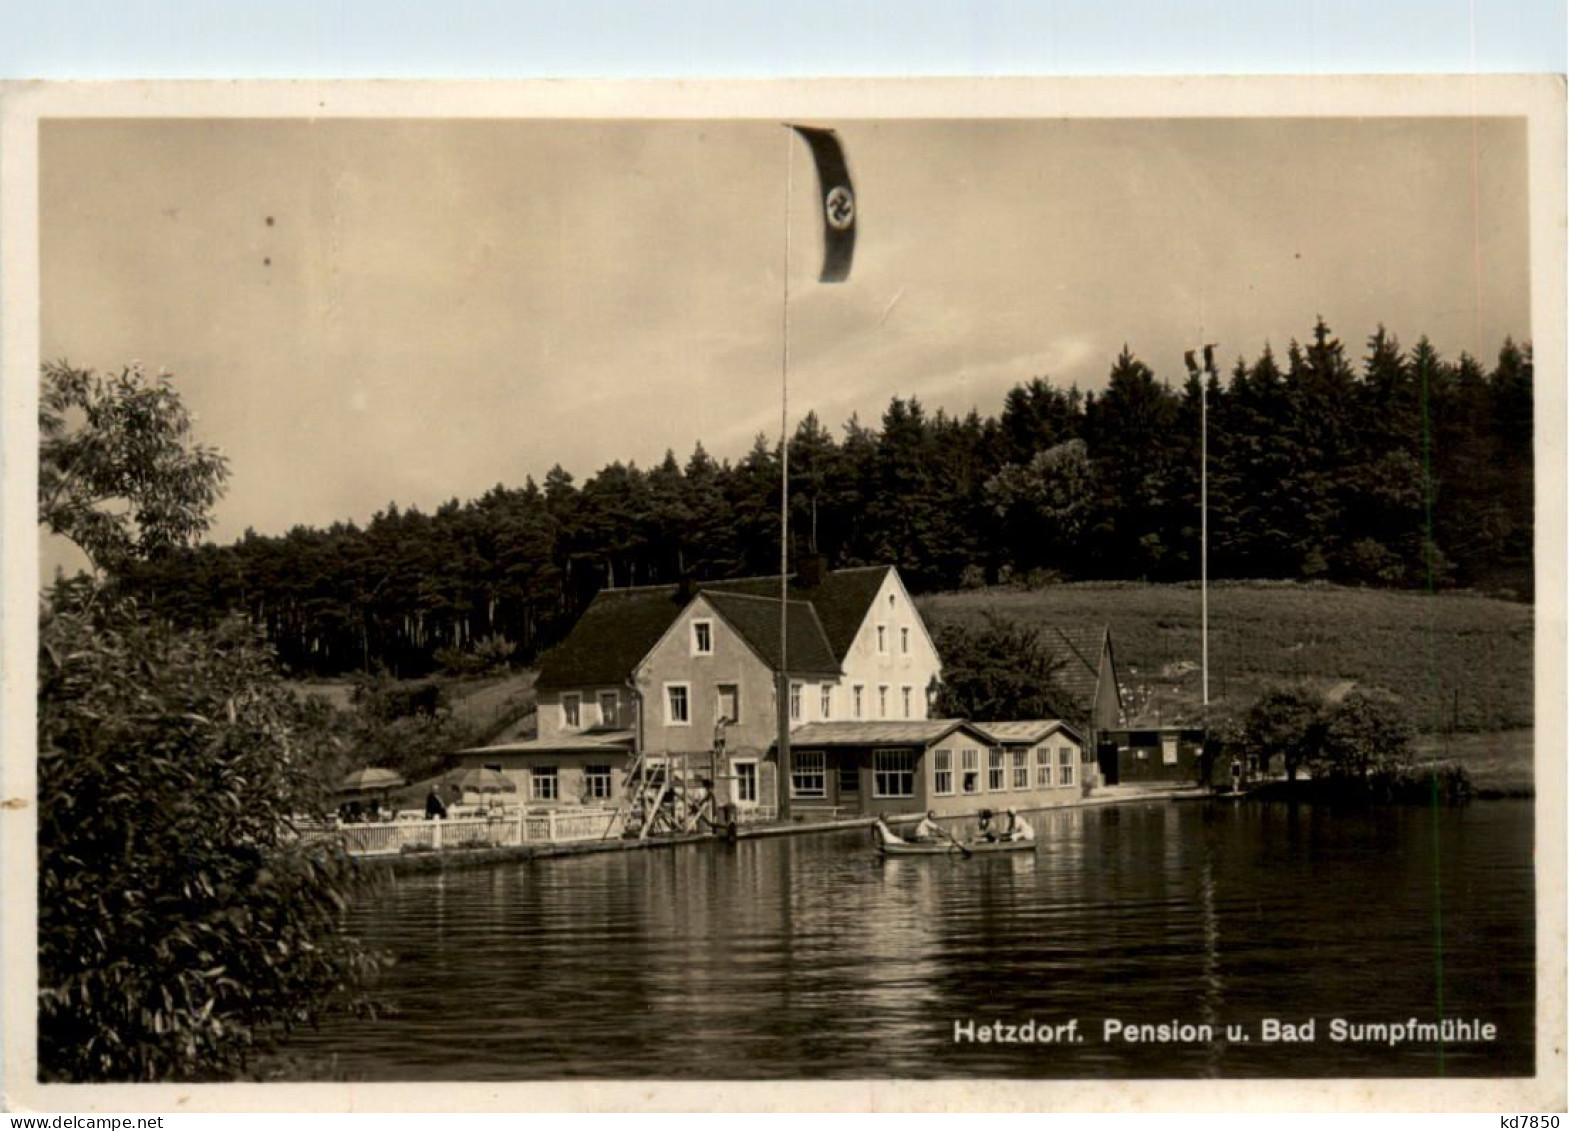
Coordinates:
(1386, 467)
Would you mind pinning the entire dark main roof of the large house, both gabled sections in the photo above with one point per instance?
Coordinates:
(621, 627)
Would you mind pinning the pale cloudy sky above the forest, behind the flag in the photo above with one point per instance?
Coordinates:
(363, 313)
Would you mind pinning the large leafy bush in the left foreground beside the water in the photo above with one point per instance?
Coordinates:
(183, 925)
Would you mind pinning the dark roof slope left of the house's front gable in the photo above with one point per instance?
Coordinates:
(617, 630)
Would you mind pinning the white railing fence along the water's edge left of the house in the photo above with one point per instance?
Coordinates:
(495, 831)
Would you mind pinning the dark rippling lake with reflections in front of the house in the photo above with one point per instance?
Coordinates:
(810, 958)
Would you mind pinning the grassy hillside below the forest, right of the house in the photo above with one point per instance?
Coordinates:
(1460, 660)
